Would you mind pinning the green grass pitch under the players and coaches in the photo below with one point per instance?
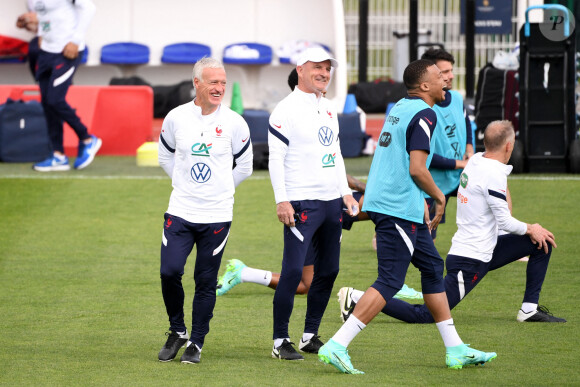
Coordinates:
(81, 304)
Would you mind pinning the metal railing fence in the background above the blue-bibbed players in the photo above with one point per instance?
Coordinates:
(441, 17)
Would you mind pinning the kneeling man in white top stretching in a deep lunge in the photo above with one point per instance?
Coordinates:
(476, 249)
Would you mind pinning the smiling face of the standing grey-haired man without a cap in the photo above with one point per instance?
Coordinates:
(210, 89)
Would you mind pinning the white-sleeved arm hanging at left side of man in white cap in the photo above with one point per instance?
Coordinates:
(278, 143)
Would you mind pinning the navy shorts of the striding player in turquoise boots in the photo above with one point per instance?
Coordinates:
(400, 242)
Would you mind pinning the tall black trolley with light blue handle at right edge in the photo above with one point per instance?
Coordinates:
(548, 136)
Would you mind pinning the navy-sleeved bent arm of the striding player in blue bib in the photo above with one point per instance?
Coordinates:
(418, 139)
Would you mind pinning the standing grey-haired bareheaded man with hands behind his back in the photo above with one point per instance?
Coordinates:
(198, 144)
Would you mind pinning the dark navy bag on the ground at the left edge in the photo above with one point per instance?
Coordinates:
(23, 132)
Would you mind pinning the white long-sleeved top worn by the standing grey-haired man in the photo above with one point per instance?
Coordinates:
(198, 153)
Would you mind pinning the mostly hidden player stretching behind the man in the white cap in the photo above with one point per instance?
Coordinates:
(237, 272)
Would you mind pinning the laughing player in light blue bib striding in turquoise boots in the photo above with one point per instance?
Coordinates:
(394, 202)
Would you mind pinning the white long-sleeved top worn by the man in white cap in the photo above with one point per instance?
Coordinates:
(305, 159)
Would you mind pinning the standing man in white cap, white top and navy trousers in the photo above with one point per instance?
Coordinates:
(309, 181)
